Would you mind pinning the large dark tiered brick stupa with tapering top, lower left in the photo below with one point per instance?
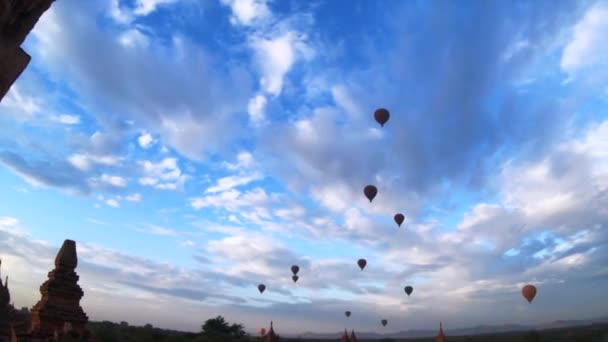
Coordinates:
(60, 302)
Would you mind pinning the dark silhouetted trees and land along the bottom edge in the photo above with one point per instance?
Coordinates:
(218, 330)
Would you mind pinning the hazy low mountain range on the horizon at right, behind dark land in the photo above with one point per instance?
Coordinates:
(478, 330)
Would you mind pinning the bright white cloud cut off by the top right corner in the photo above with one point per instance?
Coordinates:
(587, 47)
